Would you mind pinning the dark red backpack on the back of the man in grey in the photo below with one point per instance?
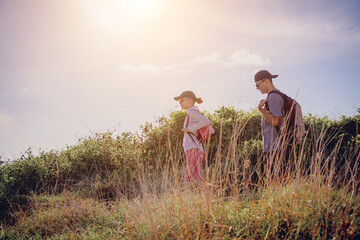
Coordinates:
(294, 124)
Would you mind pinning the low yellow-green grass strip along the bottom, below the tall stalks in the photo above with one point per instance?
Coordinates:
(278, 212)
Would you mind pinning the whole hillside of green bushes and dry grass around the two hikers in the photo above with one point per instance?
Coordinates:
(131, 186)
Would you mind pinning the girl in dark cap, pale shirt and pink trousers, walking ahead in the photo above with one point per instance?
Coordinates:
(193, 149)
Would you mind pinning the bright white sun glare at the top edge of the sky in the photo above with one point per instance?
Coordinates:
(116, 14)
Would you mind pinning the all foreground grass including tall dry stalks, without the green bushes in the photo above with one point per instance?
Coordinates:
(313, 195)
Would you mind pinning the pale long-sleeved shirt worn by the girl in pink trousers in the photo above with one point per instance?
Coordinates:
(196, 121)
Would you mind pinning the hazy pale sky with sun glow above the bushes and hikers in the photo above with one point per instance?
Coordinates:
(74, 67)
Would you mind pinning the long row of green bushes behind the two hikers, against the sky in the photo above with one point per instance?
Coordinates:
(104, 163)
